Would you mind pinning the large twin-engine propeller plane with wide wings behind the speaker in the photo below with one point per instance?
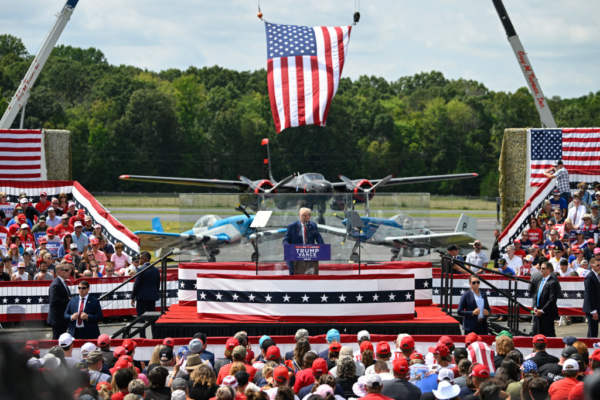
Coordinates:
(315, 189)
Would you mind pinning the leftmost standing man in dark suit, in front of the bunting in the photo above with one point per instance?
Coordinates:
(59, 296)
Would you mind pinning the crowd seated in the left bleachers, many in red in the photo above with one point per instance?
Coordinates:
(36, 238)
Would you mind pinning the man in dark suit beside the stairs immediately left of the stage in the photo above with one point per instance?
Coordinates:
(146, 289)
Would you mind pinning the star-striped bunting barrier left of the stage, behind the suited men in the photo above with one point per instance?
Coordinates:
(28, 301)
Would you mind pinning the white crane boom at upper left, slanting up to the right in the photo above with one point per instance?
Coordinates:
(20, 98)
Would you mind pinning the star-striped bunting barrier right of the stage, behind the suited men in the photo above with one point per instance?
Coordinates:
(570, 300)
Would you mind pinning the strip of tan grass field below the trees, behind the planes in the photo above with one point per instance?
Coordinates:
(384, 201)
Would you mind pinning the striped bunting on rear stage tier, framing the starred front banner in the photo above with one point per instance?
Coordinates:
(422, 271)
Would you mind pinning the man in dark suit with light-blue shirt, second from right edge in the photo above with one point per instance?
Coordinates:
(545, 310)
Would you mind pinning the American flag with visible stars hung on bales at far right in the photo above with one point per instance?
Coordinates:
(579, 150)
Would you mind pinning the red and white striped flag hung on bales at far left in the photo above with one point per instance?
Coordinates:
(20, 154)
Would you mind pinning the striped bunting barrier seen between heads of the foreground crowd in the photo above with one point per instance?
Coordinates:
(216, 345)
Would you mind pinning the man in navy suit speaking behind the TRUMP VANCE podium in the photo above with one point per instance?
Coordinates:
(303, 231)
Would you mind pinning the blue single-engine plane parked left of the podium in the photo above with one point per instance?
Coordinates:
(209, 234)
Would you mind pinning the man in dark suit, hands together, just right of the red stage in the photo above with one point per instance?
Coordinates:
(474, 308)
